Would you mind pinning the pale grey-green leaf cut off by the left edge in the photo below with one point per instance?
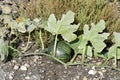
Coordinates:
(3, 50)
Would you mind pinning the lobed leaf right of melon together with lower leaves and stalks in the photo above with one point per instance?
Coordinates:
(91, 42)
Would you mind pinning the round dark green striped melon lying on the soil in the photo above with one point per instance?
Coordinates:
(63, 51)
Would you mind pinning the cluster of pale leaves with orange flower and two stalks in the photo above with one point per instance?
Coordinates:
(24, 25)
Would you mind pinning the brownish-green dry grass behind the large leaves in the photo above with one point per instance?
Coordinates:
(87, 11)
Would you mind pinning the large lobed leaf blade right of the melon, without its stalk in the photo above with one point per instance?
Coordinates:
(95, 36)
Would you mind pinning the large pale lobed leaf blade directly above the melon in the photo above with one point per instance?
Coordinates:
(63, 26)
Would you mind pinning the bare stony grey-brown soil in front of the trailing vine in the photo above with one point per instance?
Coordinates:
(42, 68)
